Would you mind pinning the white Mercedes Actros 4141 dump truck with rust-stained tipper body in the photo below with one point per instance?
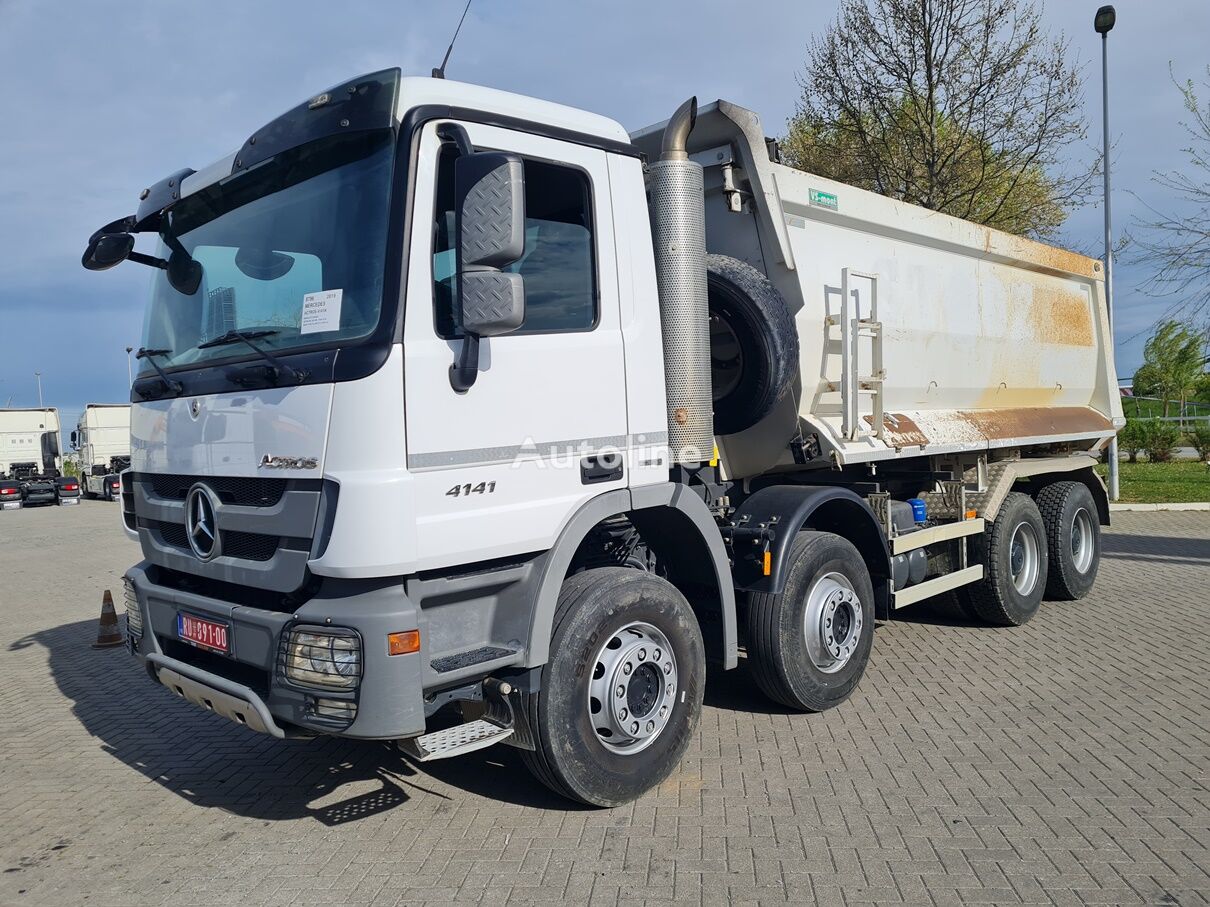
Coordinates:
(466, 419)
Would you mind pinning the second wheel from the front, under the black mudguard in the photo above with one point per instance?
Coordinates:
(827, 584)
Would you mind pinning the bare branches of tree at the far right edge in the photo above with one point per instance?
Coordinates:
(1178, 246)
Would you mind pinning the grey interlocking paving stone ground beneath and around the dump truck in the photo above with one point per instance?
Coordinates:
(1063, 762)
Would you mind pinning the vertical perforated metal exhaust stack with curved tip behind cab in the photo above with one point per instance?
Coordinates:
(678, 229)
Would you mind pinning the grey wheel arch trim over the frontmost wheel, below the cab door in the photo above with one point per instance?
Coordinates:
(682, 532)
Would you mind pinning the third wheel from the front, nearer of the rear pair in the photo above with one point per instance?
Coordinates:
(1013, 551)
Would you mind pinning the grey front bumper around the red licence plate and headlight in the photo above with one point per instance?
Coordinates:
(250, 686)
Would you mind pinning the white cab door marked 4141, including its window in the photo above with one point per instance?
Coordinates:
(499, 469)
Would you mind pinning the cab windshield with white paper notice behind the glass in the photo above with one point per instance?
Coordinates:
(293, 250)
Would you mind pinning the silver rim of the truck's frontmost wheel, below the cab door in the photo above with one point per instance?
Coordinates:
(633, 689)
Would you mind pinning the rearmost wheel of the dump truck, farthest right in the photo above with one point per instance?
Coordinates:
(1074, 539)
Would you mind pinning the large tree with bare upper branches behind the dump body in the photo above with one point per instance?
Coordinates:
(965, 107)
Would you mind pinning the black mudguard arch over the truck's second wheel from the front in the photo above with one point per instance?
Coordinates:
(787, 510)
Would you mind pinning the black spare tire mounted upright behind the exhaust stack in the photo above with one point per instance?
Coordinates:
(754, 346)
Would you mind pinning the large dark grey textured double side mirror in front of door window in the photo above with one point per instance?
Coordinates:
(489, 193)
